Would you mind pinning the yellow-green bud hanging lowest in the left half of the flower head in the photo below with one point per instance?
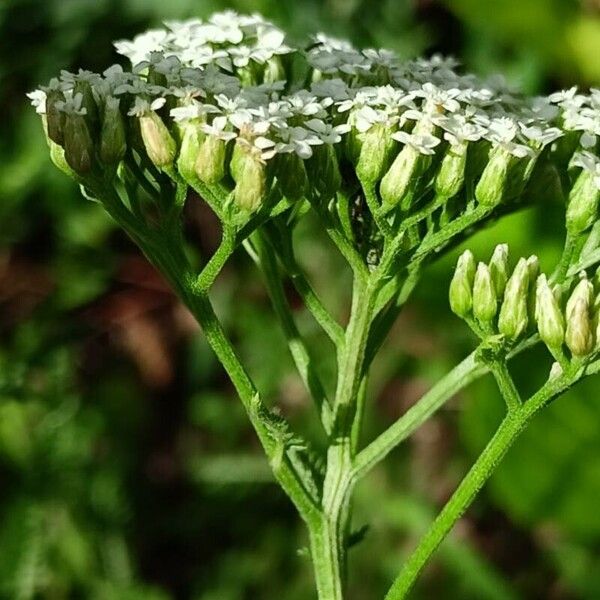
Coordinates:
(249, 174)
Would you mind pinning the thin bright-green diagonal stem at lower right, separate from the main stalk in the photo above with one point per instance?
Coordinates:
(508, 431)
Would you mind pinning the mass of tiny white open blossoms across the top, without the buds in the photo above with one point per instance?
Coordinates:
(231, 76)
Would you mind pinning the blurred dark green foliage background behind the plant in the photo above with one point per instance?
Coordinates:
(127, 468)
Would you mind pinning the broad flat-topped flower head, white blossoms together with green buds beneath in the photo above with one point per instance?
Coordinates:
(222, 99)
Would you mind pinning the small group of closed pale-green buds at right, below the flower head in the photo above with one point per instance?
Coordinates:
(522, 302)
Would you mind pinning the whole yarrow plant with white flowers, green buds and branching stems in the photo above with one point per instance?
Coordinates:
(398, 161)
